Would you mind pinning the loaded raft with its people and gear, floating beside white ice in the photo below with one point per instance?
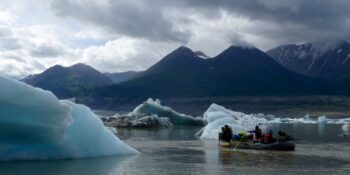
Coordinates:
(255, 140)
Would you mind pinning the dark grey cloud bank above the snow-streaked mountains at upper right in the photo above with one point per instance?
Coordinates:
(290, 20)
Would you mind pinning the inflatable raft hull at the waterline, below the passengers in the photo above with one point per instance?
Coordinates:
(277, 146)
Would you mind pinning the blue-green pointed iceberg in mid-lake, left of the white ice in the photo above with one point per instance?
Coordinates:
(154, 107)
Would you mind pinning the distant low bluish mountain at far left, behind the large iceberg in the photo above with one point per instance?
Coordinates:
(66, 82)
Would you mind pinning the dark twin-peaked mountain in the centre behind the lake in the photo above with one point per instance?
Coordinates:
(236, 71)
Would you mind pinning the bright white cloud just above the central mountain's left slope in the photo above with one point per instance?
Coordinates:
(126, 54)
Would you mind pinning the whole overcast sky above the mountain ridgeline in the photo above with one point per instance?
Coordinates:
(121, 35)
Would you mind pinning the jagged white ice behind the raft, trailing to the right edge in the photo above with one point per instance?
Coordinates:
(218, 116)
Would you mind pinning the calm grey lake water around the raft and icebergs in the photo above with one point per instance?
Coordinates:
(177, 151)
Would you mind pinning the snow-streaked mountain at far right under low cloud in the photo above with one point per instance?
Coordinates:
(329, 60)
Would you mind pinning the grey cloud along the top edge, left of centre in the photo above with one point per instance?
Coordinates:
(135, 18)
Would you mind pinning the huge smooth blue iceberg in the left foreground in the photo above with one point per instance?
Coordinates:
(35, 125)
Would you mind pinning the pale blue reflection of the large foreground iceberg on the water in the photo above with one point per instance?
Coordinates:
(90, 166)
